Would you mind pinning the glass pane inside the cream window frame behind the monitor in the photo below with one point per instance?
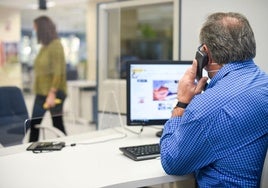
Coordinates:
(139, 32)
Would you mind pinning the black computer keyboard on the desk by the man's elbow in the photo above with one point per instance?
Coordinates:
(142, 152)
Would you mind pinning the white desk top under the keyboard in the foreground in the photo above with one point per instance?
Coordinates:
(84, 166)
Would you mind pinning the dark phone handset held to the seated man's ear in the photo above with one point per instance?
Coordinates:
(202, 61)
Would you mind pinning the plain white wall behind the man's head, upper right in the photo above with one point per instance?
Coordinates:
(195, 12)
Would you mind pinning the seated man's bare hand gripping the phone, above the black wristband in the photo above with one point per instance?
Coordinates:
(187, 87)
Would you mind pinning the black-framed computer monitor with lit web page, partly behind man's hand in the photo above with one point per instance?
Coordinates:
(152, 90)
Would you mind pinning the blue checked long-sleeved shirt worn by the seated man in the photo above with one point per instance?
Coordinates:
(222, 136)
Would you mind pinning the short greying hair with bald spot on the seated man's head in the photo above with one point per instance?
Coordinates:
(229, 37)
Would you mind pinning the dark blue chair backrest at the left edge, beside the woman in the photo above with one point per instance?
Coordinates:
(13, 113)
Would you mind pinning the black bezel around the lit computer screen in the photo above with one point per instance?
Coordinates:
(128, 85)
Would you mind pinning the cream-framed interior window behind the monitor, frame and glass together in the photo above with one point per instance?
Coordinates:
(132, 30)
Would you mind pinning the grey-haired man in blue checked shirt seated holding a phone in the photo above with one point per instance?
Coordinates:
(220, 134)
